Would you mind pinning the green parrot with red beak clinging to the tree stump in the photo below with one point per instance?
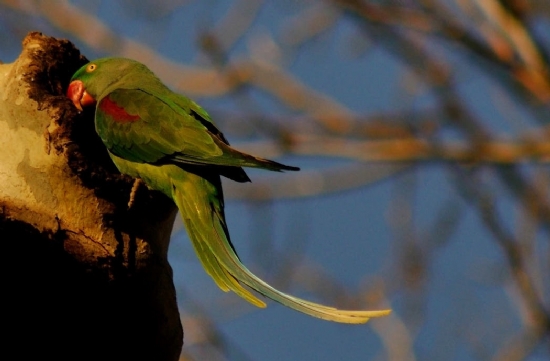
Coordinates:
(171, 144)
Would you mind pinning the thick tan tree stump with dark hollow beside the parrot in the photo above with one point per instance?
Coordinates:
(85, 278)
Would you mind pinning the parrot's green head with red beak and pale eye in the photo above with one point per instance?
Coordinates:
(99, 77)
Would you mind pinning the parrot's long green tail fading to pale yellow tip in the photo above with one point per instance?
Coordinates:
(200, 201)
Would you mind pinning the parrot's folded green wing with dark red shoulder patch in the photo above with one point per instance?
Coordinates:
(162, 129)
